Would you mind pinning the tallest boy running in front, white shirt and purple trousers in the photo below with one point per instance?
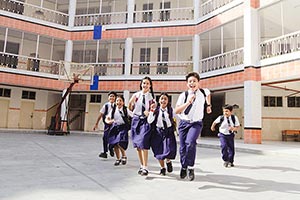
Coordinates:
(190, 110)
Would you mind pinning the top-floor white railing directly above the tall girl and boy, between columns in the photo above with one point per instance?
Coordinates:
(161, 15)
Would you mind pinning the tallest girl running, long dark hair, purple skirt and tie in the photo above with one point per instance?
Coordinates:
(140, 103)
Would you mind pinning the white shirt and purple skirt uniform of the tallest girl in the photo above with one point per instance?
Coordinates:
(140, 128)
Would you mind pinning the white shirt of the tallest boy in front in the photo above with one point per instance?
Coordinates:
(197, 111)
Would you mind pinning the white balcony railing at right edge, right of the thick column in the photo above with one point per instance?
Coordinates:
(280, 45)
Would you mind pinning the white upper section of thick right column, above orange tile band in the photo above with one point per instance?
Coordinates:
(251, 36)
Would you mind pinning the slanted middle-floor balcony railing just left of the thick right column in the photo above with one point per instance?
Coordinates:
(221, 61)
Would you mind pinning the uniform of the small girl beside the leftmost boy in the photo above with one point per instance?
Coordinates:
(118, 131)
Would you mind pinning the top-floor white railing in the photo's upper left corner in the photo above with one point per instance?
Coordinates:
(34, 11)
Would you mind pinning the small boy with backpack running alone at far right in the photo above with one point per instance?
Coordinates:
(229, 125)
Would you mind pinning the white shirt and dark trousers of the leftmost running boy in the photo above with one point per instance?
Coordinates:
(109, 106)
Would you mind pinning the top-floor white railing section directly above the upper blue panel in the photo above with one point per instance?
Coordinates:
(101, 19)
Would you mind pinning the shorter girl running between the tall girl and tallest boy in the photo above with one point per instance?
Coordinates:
(163, 142)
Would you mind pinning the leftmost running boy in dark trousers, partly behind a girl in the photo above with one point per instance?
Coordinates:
(106, 108)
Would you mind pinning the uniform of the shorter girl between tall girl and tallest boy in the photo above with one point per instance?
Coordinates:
(163, 141)
